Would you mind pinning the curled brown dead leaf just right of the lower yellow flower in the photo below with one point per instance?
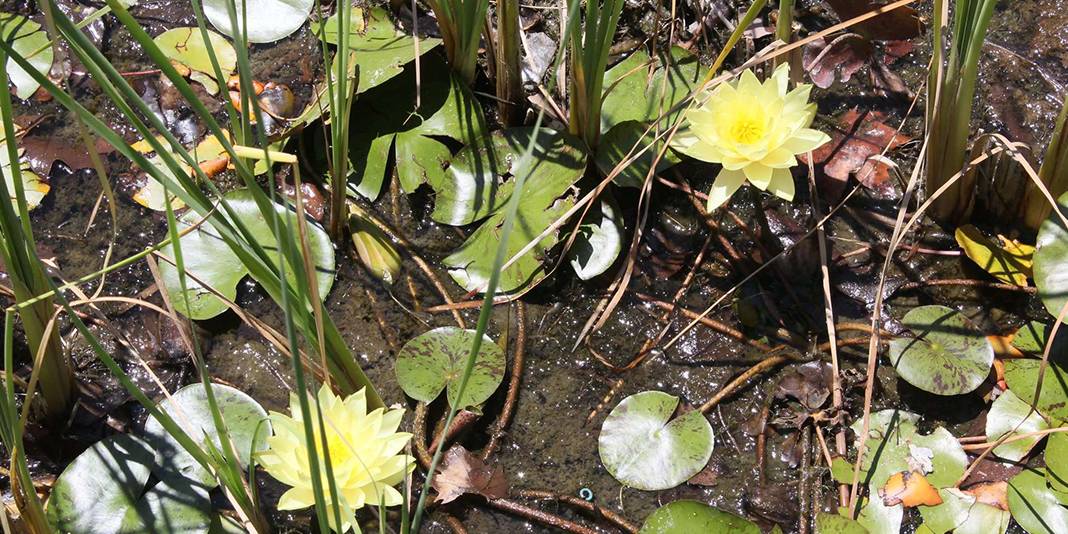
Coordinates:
(463, 473)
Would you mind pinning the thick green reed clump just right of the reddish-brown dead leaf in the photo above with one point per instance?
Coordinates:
(952, 92)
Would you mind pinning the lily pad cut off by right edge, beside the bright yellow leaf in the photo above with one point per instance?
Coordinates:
(1051, 261)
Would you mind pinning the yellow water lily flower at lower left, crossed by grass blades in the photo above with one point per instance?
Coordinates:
(365, 456)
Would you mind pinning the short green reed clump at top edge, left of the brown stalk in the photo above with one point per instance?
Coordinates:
(461, 23)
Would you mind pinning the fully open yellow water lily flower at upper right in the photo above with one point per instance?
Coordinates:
(755, 130)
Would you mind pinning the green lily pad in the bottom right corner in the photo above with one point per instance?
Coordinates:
(1034, 506)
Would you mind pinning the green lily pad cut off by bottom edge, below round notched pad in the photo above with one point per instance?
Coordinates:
(686, 517)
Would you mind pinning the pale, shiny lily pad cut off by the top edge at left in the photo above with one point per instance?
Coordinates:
(268, 21)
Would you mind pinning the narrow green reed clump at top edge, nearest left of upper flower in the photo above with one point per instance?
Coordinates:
(590, 49)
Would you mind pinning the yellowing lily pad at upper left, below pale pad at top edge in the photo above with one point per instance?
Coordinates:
(187, 46)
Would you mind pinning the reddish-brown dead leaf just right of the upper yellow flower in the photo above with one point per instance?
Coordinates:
(858, 138)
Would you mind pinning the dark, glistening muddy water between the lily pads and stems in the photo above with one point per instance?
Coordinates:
(551, 445)
